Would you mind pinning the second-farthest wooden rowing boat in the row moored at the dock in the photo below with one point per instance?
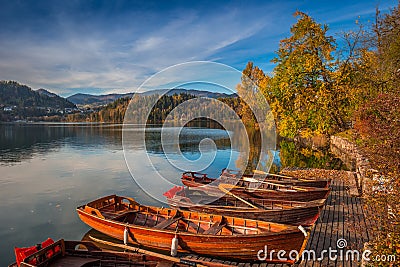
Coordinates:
(266, 190)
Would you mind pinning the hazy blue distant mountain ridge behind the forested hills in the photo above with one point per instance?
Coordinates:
(87, 99)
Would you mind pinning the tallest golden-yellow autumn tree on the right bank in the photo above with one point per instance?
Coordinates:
(305, 98)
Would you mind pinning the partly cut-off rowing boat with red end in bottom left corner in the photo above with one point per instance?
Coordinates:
(83, 253)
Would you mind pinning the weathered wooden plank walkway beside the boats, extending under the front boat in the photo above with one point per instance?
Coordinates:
(342, 222)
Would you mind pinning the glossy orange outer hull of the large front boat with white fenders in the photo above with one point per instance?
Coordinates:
(238, 247)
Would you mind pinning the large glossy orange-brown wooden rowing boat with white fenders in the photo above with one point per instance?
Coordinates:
(200, 233)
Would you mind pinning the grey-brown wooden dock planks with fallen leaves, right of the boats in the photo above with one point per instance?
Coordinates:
(342, 214)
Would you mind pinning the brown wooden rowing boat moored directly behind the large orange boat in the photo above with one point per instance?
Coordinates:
(288, 212)
